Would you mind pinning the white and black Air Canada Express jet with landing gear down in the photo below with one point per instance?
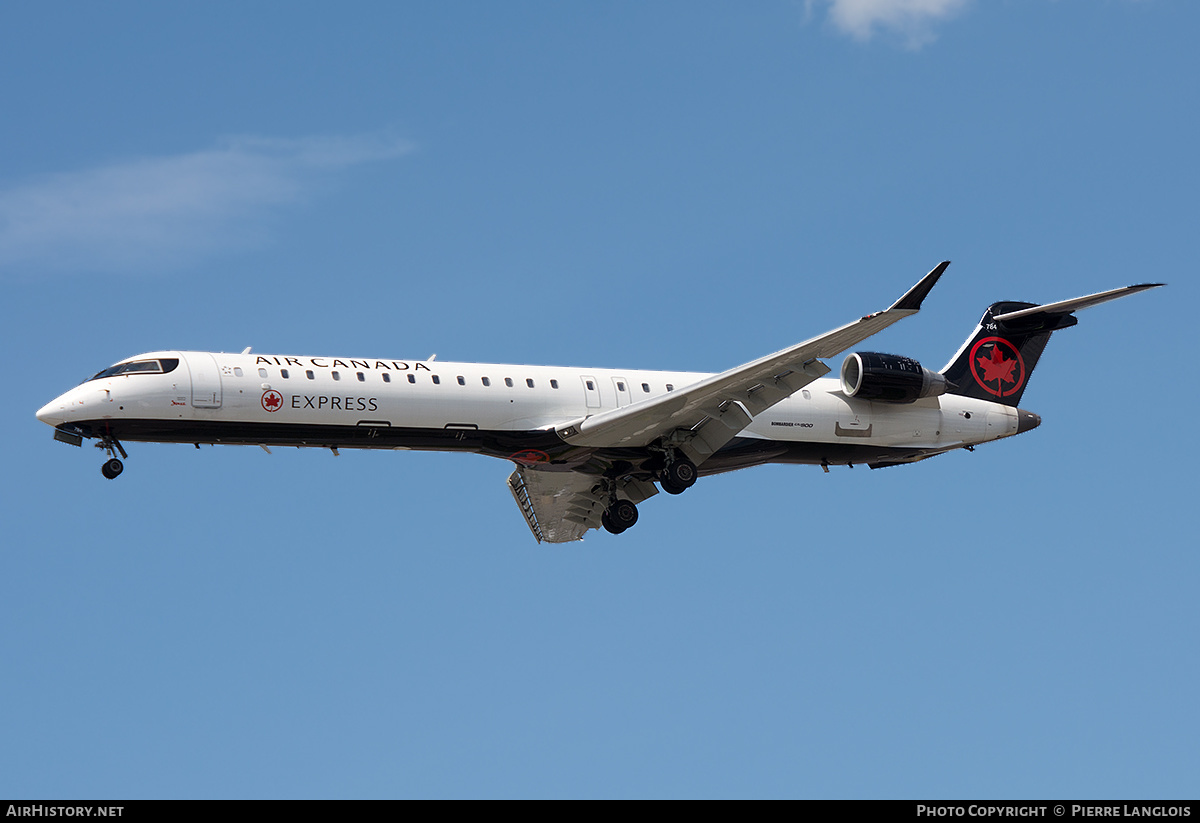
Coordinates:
(591, 444)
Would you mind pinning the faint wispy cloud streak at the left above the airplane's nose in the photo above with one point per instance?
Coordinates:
(160, 213)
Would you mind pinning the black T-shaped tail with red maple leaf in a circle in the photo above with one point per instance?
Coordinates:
(997, 362)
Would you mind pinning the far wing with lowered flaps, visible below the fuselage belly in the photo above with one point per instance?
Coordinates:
(561, 507)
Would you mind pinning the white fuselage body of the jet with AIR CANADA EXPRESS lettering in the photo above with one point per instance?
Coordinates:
(305, 401)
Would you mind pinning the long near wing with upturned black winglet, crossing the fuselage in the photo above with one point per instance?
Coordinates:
(710, 413)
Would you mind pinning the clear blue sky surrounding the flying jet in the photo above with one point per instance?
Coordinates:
(629, 185)
